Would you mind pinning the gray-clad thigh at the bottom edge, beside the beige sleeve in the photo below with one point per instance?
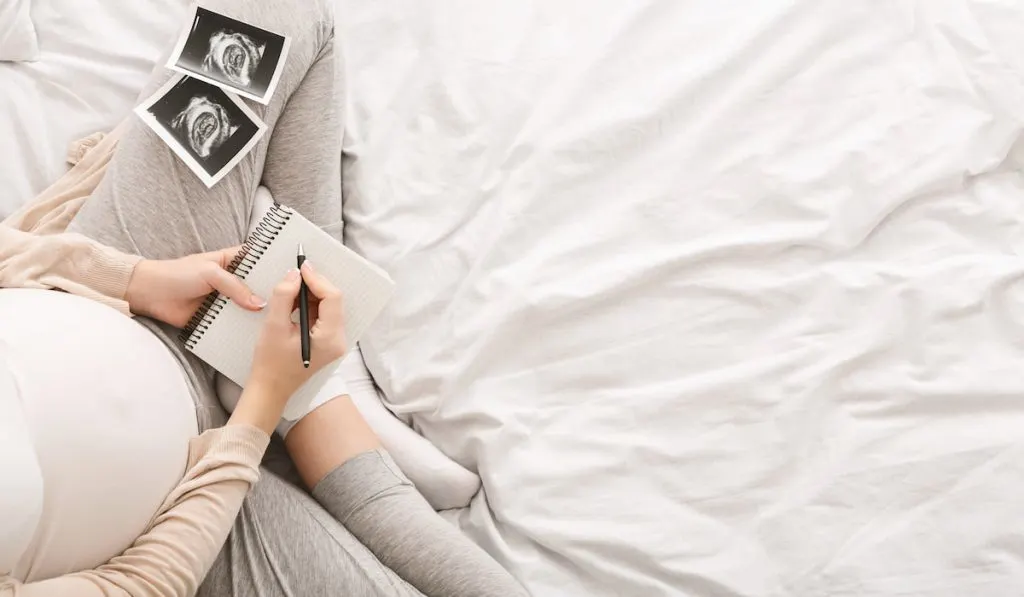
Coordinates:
(285, 545)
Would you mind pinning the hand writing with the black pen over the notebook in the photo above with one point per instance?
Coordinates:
(278, 371)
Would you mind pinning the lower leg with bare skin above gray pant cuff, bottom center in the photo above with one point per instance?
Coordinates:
(339, 456)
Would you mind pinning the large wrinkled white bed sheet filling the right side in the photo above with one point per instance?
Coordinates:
(720, 298)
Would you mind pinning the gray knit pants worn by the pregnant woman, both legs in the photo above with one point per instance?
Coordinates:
(365, 531)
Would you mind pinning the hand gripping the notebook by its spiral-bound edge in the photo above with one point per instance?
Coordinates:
(172, 290)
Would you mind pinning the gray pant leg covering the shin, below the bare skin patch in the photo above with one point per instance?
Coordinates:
(385, 511)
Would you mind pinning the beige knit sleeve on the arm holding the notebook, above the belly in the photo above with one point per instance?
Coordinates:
(67, 262)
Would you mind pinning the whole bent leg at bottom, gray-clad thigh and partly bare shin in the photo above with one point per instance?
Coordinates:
(378, 538)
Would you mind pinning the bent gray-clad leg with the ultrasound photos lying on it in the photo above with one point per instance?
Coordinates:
(151, 204)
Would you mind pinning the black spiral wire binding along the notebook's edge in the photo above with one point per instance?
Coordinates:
(260, 242)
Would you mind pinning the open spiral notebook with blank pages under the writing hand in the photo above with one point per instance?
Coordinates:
(224, 334)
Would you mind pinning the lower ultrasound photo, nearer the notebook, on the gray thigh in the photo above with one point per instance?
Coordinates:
(208, 129)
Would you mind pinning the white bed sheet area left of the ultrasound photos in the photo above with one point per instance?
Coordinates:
(95, 58)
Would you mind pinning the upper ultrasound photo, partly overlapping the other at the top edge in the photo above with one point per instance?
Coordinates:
(233, 55)
